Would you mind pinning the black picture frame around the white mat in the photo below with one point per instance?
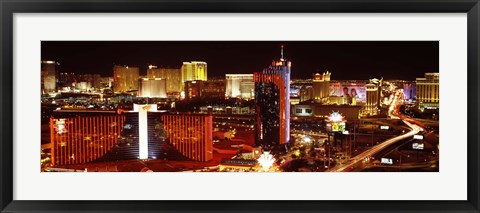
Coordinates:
(9, 7)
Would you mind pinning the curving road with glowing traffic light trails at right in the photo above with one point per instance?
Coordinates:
(366, 154)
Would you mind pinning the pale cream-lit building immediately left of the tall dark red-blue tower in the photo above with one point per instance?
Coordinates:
(239, 86)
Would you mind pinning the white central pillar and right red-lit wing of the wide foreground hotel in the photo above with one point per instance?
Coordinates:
(190, 135)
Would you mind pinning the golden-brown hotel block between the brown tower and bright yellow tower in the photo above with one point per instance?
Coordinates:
(173, 77)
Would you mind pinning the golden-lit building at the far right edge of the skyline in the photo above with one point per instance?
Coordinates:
(428, 90)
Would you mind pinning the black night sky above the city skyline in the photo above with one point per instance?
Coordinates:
(358, 60)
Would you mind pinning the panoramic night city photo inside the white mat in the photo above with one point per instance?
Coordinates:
(191, 118)
